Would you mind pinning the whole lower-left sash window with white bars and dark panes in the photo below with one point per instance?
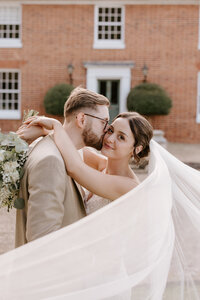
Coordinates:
(9, 94)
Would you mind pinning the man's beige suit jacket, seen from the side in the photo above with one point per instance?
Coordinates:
(52, 199)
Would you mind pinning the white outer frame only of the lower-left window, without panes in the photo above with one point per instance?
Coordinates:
(12, 114)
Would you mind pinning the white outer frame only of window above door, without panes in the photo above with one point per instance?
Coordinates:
(108, 44)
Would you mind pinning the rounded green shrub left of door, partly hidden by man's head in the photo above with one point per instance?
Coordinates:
(56, 97)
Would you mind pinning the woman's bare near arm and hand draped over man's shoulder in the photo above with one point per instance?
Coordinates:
(104, 185)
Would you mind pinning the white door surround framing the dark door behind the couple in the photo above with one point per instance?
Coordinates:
(110, 70)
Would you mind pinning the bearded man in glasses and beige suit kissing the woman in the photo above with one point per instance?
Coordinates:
(52, 198)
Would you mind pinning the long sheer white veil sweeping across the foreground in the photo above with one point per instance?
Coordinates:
(138, 247)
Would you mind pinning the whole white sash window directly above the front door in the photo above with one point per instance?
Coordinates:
(109, 27)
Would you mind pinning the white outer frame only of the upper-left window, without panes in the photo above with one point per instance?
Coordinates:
(12, 43)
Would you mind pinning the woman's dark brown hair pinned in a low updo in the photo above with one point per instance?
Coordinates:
(142, 132)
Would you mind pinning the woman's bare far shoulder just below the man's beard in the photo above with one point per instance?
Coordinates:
(94, 159)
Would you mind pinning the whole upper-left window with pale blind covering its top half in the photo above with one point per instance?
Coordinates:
(10, 26)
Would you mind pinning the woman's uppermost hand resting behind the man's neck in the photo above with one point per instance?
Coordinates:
(45, 122)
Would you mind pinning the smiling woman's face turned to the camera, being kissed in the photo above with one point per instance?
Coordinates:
(118, 141)
